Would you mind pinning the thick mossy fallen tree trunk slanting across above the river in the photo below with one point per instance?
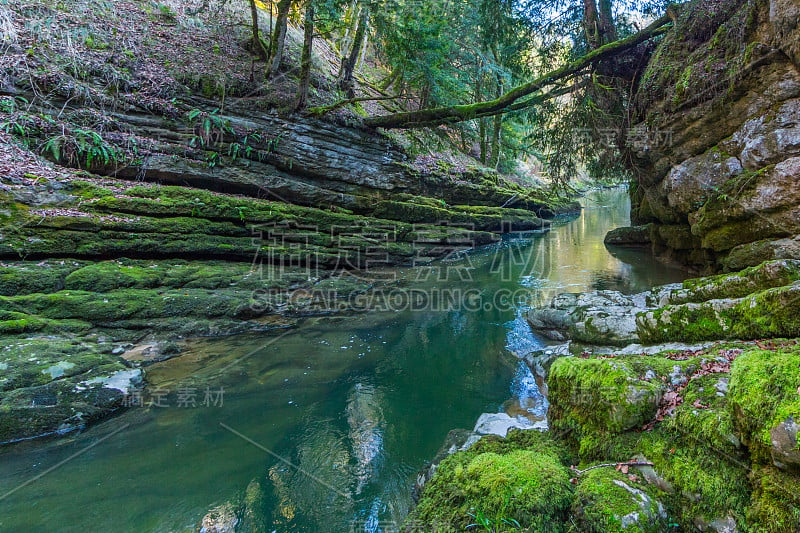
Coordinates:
(458, 113)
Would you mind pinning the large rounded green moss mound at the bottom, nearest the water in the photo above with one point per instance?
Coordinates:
(499, 481)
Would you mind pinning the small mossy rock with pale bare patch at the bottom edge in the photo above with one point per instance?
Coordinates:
(609, 501)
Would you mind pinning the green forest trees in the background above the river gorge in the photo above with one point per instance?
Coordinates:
(510, 78)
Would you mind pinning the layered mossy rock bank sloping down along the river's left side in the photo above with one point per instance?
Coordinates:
(147, 196)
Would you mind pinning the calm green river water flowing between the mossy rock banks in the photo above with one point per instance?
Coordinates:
(356, 404)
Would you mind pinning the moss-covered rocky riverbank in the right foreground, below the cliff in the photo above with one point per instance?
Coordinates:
(646, 436)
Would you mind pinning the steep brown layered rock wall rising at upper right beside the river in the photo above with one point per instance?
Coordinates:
(719, 172)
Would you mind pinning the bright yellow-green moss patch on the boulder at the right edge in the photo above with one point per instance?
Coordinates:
(763, 394)
